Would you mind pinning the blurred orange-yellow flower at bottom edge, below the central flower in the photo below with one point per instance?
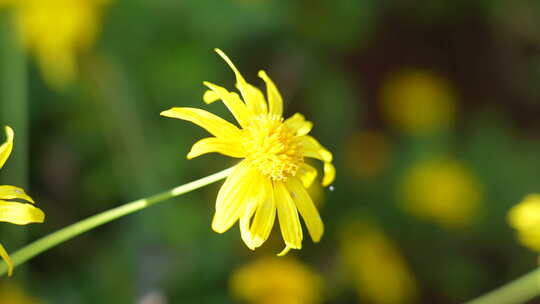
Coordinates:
(276, 281)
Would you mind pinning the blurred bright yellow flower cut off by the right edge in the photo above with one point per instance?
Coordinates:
(525, 218)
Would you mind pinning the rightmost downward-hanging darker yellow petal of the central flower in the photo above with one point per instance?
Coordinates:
(307, 208)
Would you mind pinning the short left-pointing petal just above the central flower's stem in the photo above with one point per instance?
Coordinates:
(218, 145)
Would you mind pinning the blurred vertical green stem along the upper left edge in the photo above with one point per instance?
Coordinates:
(14, 105)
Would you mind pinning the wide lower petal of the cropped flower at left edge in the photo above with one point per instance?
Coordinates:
(20, 213)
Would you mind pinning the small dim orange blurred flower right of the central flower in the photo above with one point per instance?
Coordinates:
(367, 153)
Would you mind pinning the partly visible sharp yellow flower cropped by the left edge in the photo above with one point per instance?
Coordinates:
(11, 210)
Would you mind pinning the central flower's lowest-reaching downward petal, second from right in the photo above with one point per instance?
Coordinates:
(288, 217)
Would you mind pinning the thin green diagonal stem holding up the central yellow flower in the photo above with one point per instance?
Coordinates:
(71, 231)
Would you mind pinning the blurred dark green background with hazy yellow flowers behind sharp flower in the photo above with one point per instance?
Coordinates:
(430, 109)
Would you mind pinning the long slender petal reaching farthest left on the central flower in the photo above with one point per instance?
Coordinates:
(206, 120)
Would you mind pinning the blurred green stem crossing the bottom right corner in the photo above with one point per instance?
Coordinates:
(520, 290)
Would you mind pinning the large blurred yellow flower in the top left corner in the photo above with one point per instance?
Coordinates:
(55, 31)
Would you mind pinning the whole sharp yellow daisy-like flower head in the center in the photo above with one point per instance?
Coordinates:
(272, 177)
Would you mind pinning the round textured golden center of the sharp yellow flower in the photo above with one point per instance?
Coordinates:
(270, 147)
